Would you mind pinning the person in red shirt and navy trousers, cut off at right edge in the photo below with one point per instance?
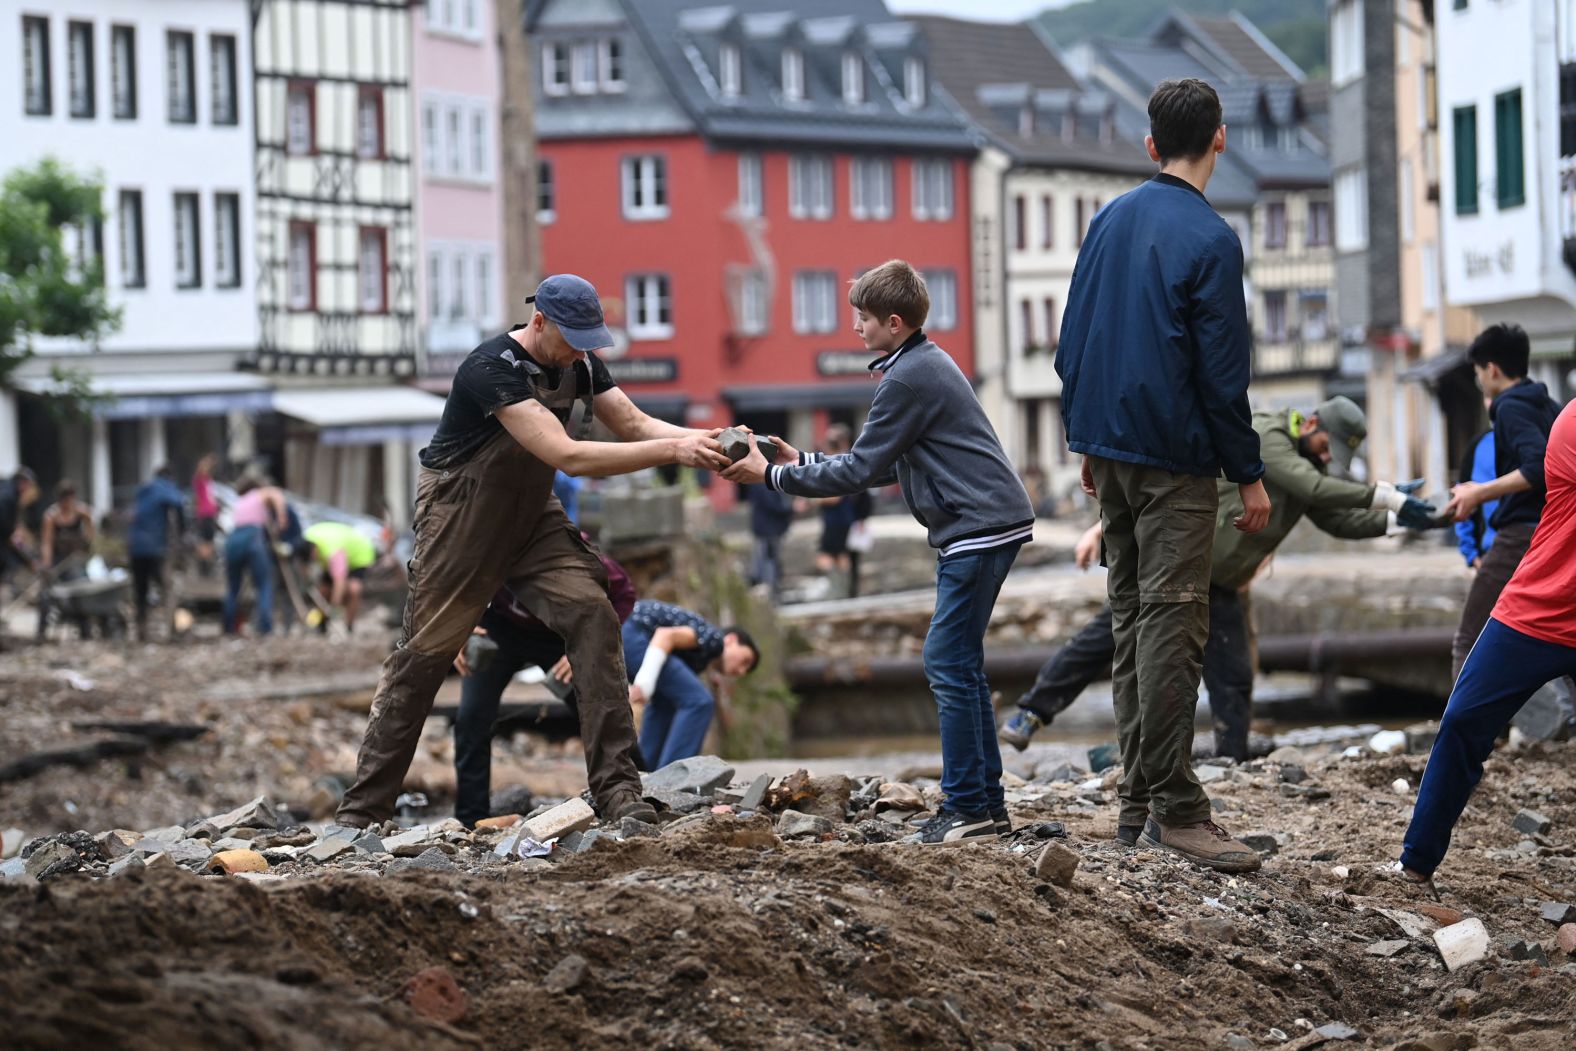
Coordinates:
(1530, 641)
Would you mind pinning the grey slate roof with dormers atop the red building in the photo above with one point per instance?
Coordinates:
(685, 42)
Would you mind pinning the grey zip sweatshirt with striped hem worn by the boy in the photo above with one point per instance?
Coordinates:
(929, 434)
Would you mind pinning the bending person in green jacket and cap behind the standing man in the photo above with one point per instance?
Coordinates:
(1298, 451)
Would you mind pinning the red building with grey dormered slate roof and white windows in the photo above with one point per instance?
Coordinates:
(721, 174)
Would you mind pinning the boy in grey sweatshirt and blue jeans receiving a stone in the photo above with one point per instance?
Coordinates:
(929, 434)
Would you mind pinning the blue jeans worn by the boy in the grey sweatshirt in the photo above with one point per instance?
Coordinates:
(967, 589)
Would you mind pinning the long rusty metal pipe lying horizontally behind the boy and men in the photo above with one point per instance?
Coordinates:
(1277, 653)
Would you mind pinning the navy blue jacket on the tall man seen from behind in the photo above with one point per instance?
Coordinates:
(1156, 349)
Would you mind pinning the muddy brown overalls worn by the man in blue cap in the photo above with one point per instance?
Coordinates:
(486, 524)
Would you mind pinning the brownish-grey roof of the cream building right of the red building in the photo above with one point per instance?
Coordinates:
(997, 70)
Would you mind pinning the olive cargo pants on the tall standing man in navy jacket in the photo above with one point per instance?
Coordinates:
(1159, 533)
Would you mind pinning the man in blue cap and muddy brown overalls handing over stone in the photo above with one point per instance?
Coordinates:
(486, 518)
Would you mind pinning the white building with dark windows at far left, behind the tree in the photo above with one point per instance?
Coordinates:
(155, 97)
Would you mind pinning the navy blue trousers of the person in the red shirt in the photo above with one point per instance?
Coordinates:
(1504, 669)
